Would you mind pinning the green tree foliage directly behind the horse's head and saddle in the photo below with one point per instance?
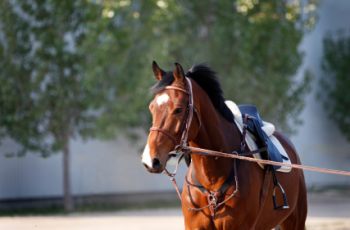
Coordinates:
(253, 45)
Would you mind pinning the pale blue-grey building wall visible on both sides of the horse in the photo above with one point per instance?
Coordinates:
(115, 166)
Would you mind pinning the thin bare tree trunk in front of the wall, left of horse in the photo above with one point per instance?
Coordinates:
(67, 200)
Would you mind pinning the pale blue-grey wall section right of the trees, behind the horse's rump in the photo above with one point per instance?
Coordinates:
(318, 141)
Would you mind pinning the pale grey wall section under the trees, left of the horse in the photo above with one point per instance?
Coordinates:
(97, 167)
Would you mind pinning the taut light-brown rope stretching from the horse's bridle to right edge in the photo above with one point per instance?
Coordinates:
(200, 151)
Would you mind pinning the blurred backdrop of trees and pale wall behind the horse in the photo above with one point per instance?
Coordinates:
(75, 79)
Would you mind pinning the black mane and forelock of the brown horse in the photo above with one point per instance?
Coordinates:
(206, 78)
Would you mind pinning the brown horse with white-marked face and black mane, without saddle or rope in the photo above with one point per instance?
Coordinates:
(209, 180)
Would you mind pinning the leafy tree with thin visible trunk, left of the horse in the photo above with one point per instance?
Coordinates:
(43, 90)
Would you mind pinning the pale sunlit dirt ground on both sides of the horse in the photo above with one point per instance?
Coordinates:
(326, 211)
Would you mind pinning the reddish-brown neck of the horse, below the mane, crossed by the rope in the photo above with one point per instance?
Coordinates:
(215, 134)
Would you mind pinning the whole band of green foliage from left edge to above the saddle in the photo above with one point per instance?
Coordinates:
(83, 67)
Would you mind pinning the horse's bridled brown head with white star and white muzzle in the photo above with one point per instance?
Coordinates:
(170, 109)
